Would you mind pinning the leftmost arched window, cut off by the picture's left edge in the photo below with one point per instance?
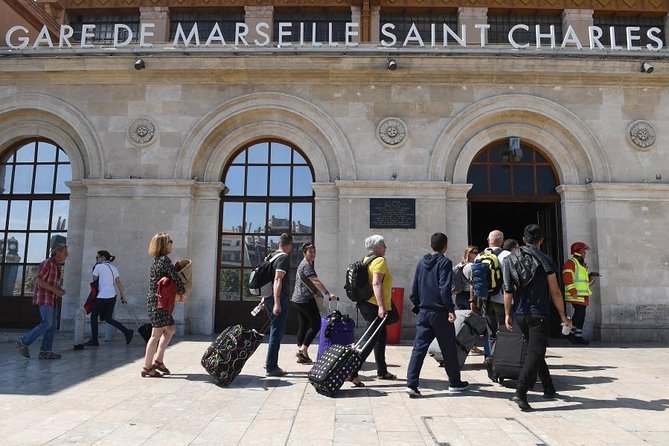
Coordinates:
(34, 205)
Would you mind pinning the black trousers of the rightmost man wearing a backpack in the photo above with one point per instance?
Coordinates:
(536, 331)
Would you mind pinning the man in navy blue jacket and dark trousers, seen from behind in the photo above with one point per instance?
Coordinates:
(431, 296)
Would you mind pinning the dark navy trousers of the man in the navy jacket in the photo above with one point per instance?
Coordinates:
(428, 326)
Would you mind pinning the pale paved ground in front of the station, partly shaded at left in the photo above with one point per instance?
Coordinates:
(612, 395)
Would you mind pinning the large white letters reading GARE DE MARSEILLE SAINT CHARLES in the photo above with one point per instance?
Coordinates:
(17, 37)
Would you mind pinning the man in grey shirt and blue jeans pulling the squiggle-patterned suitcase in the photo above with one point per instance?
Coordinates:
(277, 305)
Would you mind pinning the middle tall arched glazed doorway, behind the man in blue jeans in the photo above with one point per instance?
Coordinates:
(269, 191)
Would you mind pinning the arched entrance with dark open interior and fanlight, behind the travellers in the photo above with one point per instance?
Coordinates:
(513, 186)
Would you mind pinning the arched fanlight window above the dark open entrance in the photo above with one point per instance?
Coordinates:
(522, 173)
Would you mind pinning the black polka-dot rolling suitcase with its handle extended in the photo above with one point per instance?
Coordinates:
(339, 361)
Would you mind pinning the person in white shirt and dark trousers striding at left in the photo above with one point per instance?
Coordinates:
(108, 282)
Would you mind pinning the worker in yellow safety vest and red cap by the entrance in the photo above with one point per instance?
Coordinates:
(577, 281)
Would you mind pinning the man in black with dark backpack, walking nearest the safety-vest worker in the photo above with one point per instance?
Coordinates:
(531, 283)
